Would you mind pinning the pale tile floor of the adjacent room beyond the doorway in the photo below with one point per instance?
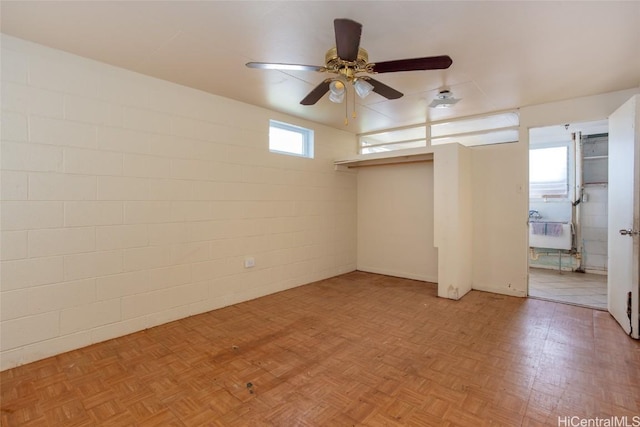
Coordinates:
(569, 287)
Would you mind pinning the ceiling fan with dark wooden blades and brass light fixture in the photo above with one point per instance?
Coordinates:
(348, 61)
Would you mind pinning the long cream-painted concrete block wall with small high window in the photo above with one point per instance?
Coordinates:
(128, 202)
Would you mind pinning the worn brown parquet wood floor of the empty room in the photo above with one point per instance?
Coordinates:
(357, 349)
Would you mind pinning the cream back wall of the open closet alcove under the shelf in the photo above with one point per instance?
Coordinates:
(395, 221)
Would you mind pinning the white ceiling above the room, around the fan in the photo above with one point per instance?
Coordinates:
(505, 54)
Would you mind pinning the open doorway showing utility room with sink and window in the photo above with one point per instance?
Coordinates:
(568, 188)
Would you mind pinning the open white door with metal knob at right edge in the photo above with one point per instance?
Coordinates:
(624, 207)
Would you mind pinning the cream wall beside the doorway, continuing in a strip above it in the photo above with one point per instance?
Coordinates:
(500, 209)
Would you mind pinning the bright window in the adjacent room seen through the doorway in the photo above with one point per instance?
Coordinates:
(549, 172)
